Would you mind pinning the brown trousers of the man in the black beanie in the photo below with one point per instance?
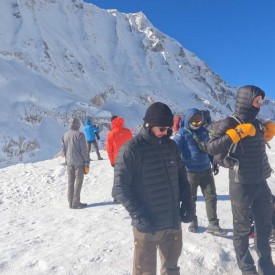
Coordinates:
(167, 242)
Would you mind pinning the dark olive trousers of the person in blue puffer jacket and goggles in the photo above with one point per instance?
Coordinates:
(206, 182)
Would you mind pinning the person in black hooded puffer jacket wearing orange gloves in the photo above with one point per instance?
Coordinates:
(248, 171)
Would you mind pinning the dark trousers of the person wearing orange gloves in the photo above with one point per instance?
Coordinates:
(255, 199)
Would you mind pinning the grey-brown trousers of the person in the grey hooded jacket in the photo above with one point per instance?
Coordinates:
(75, 180)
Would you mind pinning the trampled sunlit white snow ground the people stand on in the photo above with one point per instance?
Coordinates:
(39, 234)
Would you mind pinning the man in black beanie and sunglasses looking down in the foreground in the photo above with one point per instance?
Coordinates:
(151, 183)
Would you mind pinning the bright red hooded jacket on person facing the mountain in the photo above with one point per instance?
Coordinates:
(116, 138)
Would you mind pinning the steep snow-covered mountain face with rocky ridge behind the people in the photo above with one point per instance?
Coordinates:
(64, 58)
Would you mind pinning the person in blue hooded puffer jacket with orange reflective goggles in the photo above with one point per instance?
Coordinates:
(191, 140)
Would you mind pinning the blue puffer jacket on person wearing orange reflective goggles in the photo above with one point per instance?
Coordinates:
(195, 159)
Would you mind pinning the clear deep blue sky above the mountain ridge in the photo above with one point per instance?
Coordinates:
(236, 38)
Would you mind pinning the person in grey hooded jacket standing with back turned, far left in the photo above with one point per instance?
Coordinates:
(76, 154)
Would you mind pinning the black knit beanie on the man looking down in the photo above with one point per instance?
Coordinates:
(158, 114)
